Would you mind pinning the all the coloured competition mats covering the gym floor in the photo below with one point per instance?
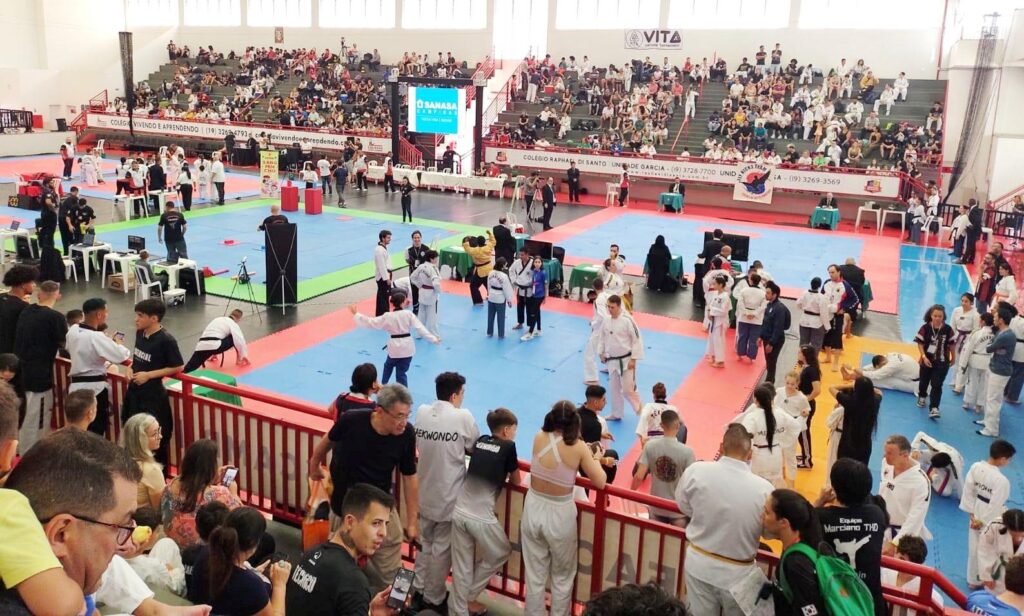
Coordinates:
(313, 362)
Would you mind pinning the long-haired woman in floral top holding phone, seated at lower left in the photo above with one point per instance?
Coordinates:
(198, 483)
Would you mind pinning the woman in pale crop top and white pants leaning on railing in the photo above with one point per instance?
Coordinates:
(548, 533)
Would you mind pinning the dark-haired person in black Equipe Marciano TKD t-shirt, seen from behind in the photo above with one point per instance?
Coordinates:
(854, 527)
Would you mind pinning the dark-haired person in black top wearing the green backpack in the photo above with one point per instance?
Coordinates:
(790, 518)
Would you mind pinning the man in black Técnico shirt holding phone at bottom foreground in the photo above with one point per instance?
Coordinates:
(328, 581)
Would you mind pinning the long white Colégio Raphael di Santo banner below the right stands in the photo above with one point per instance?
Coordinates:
(697, 170)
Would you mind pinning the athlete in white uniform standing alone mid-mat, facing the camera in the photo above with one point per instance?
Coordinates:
(620, 347)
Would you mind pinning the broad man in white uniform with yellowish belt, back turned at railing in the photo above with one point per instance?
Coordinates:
(726, 529)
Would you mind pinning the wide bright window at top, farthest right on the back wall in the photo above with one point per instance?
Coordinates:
(872, 15)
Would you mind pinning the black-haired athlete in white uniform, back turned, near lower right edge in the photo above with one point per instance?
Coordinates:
(987, 491)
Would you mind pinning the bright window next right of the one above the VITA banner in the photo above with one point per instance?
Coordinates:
(729, 15)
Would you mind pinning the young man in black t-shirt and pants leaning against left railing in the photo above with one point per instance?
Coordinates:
(156, 356)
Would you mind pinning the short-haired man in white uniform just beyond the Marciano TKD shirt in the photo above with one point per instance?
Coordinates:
(908, 494)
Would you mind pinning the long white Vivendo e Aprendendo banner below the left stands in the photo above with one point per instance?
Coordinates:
(282, 138)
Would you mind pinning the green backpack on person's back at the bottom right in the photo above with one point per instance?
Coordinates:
(843, 593)
